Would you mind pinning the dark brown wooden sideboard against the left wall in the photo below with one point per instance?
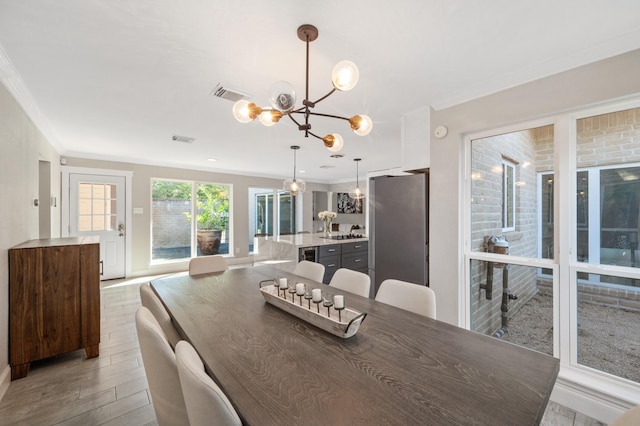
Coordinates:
(54, 300)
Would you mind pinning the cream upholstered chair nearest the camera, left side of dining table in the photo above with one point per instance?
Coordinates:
(205, 401)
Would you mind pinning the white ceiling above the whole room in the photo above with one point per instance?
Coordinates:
(117, 79)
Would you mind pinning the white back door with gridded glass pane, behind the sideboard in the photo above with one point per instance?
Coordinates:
(97, 207)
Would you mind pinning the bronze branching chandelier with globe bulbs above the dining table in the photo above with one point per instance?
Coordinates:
(282, 97)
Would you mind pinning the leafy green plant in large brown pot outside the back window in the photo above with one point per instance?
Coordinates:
(213, 217)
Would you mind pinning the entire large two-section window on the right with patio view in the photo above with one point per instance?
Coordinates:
(575, 267)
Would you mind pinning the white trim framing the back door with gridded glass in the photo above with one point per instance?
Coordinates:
(65, 196)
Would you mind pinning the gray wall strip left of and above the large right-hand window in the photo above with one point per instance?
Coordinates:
(602, 81)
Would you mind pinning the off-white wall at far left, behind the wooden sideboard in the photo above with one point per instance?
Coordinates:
(21, 148)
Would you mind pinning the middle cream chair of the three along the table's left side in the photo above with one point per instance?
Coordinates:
(161, 371)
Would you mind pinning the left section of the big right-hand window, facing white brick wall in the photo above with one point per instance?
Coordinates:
(512, 176)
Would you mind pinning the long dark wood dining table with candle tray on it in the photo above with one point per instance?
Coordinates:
(399, 369)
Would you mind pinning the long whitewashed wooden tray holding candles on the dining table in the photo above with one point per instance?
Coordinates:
(344, 324)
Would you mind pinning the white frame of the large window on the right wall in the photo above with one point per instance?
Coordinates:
(592, 383)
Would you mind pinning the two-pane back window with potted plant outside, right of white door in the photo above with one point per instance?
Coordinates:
(174, 234)
